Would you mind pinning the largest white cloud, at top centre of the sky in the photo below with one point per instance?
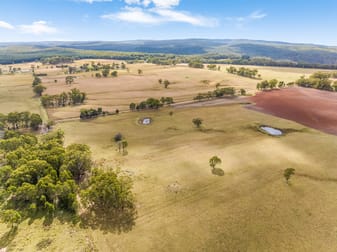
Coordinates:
(162, 12)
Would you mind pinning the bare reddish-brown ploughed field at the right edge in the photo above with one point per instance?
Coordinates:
(313, 108)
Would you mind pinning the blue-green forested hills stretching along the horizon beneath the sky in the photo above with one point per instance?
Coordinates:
(216, 48)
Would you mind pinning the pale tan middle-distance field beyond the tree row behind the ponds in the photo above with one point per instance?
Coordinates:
(117, 93)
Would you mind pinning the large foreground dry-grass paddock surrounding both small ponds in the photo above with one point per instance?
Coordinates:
(182, 206)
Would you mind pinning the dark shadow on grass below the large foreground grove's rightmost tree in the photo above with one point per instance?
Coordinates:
(118, 221)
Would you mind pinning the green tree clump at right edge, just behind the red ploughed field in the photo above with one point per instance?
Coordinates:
(319, 80)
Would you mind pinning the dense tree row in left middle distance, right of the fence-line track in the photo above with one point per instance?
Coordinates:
(75, 96)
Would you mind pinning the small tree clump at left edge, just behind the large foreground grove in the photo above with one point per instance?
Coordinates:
(17, 120)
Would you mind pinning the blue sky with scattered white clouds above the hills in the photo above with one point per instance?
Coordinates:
(301, 21)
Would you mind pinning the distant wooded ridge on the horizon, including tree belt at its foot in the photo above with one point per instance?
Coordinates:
(211, 51)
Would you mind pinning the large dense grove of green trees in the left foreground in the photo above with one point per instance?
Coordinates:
(45, 177)
